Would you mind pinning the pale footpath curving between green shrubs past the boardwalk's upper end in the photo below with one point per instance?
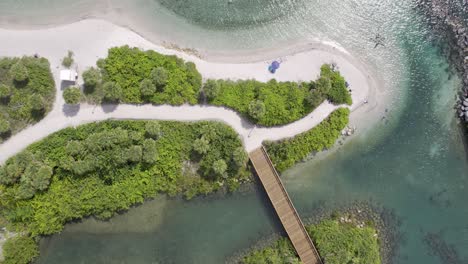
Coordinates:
(251, 136)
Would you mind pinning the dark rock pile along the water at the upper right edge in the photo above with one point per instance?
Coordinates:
(449, 20)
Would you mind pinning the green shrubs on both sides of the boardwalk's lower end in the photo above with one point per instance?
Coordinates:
(337, 243)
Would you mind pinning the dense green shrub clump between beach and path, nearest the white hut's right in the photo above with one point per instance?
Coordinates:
(130, 75)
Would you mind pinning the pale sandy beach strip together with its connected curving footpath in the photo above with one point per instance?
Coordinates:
(90, 40)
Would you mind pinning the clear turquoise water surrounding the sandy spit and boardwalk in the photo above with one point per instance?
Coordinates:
(412, 163)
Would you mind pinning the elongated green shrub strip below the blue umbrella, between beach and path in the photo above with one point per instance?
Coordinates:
(278, 103)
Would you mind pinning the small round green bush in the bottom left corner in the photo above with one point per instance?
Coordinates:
(20, 250)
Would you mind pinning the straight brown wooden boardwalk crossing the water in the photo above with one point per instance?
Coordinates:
(284, 208)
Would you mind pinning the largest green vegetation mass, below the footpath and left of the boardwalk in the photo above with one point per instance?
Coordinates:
(102, 168)
